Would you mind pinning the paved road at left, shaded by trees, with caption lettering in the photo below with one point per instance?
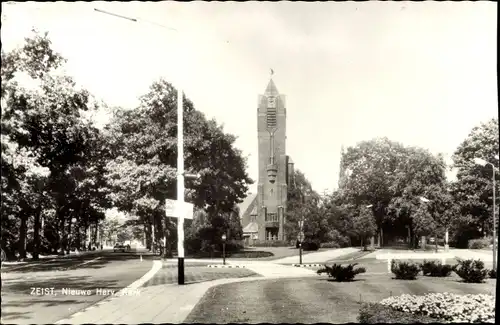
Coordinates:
(36, 293)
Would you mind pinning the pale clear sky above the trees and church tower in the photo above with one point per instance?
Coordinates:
(420, 73)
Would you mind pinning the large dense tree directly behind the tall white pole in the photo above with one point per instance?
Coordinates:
(142, 174)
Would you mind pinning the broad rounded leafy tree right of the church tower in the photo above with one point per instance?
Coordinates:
(389, 178)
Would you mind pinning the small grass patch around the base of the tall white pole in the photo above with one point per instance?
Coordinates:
(198, 272)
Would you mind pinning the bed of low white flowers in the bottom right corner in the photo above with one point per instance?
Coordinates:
(446, 307)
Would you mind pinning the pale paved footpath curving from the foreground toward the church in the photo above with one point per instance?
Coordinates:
(171, 303)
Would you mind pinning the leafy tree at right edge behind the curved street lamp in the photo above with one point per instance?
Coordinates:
(473, 188)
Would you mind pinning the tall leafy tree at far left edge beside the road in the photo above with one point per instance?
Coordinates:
(43, 117)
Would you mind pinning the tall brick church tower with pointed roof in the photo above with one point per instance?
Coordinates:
(273, 164)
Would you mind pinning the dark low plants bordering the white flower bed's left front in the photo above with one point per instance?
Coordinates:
(377, 313)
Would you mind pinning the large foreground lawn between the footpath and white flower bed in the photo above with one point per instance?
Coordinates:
(314, 300)
